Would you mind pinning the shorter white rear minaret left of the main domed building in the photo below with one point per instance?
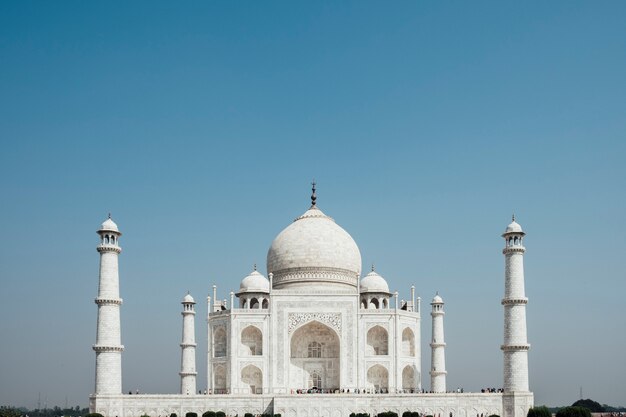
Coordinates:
(188, 345)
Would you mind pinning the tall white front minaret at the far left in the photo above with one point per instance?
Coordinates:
(108, 345)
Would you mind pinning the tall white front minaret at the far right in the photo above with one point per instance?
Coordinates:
(515, 345)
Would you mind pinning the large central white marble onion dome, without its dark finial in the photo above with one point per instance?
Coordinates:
(314, 250)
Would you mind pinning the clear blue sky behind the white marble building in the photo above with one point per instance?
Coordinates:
(200, 125)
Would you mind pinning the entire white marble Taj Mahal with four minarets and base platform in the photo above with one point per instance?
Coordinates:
(314, 337)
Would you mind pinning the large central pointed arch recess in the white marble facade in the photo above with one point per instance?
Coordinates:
(314, 357)
